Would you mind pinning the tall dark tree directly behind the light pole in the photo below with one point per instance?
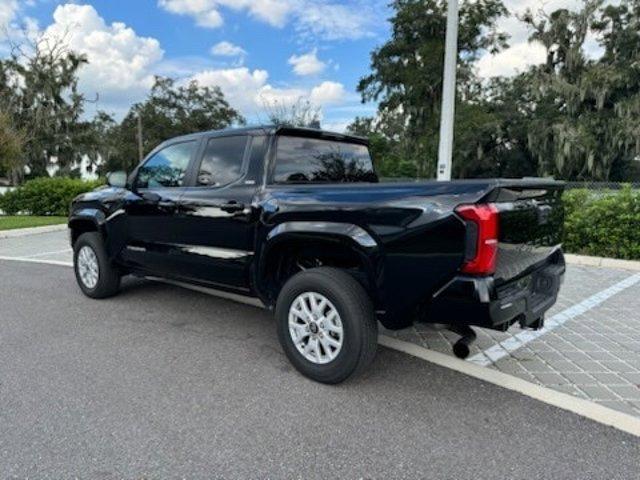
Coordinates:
(406, 75)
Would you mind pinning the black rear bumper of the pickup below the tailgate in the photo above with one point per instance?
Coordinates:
(479, 301)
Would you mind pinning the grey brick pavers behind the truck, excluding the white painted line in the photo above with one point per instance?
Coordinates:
(594, 355)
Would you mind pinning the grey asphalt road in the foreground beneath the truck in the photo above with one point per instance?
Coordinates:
(162, 382)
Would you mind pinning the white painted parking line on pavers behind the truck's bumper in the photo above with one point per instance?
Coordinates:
(510, 345)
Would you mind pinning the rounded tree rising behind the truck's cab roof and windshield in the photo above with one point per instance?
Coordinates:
(170, 110)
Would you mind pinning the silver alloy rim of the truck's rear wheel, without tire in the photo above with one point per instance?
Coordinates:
(315, 327)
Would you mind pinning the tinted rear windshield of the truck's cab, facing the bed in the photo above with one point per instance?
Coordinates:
(311, 160)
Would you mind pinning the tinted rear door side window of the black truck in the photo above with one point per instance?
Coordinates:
(222, 161)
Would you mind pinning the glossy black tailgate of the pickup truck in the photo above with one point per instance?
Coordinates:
(531, 225)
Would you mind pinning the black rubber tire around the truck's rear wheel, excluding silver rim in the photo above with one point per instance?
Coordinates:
(358, 319)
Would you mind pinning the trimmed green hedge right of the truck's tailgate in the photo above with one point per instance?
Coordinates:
(603, 223)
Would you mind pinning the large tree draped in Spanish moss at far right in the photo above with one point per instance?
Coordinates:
(581, 113)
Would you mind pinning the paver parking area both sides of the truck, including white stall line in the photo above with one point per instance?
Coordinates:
(591, 351)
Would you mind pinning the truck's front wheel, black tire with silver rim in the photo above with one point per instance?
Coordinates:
(96, 276)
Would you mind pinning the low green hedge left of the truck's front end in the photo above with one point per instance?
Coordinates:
(45, 196)
